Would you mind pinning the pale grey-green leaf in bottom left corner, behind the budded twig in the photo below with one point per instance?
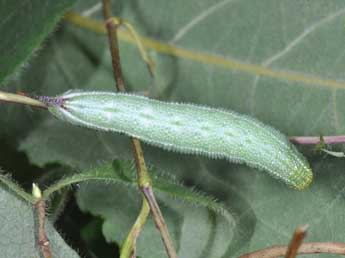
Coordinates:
(18, 231)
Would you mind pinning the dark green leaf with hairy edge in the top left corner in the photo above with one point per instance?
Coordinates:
(24, 26)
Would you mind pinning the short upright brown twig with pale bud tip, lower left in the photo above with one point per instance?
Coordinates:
(40, 205)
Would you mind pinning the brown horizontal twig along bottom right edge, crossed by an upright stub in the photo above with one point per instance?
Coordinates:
(305, 248)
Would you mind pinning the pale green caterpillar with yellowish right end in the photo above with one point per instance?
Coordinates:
(187, 128)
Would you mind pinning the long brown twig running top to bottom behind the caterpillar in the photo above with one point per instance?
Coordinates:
(144, 180)
